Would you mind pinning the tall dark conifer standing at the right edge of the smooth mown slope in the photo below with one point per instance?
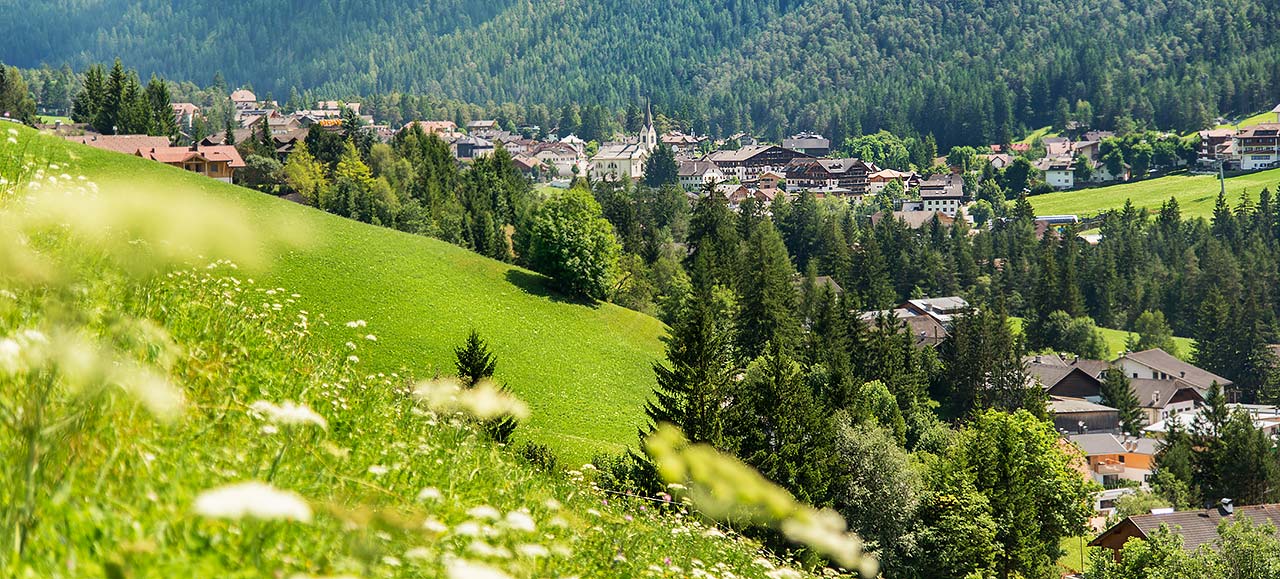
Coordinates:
(694, 385)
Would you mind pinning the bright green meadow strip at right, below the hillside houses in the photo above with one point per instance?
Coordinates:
(1195, 194)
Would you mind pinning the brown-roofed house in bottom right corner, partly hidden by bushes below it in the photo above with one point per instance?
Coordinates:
(1197, 528)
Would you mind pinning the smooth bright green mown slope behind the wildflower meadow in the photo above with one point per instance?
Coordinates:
(584, 370)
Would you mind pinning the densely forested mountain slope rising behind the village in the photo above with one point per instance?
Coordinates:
(967, 71)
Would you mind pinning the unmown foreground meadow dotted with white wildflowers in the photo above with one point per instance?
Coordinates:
(163, 416)
